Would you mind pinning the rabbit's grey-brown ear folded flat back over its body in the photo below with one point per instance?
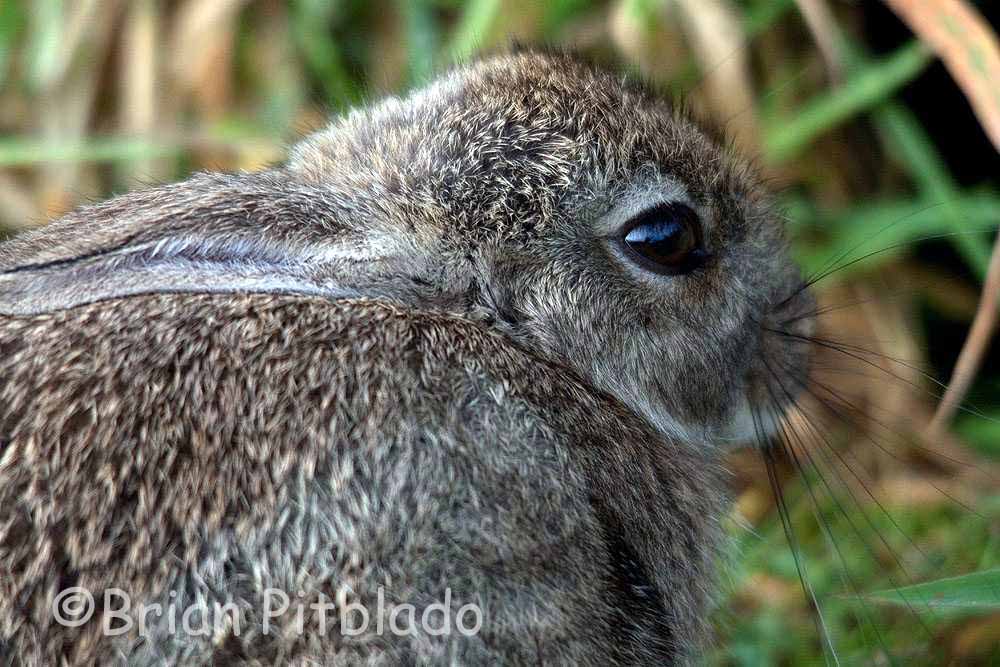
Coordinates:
(265, 232)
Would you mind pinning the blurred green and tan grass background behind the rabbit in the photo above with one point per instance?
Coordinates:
(870, 145)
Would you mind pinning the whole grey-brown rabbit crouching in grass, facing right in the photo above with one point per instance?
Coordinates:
(483, 345)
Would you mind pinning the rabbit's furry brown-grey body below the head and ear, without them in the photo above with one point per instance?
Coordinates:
(197, 440)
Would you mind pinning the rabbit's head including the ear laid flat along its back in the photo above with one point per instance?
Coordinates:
(574, 211)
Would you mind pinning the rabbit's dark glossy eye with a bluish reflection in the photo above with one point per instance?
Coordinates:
(665, 239)
